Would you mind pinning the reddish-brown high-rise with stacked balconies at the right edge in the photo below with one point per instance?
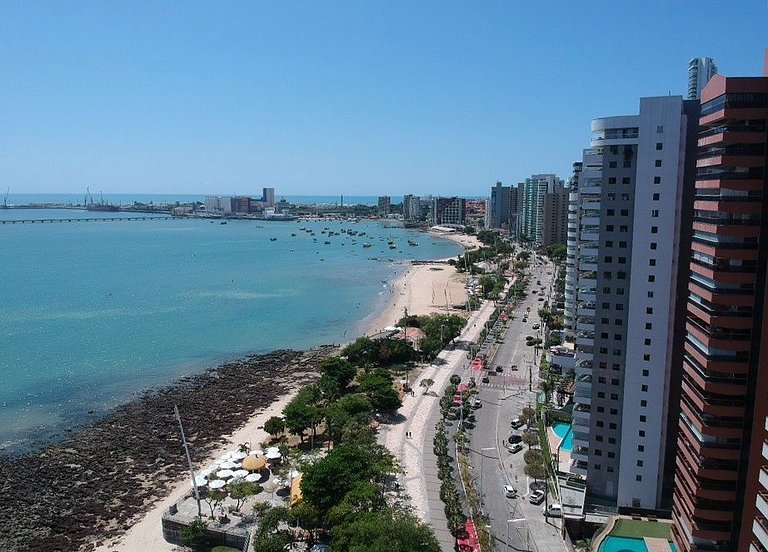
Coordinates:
(721, 482)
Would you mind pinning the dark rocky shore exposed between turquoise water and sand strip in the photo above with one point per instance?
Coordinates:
(91, 487)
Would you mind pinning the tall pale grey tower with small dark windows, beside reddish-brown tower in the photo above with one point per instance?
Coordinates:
(623, 285)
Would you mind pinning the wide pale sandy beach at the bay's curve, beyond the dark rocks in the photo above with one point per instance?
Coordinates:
(425, 288)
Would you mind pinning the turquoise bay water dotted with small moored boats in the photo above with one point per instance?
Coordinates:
(91, 313)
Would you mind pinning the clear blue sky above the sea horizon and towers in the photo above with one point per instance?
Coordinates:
(355, 98)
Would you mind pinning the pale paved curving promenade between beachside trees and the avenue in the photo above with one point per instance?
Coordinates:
(421, 412)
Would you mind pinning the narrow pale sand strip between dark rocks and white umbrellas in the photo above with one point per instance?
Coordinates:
(147, 532)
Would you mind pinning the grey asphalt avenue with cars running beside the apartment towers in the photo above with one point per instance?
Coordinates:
(503, 399)
